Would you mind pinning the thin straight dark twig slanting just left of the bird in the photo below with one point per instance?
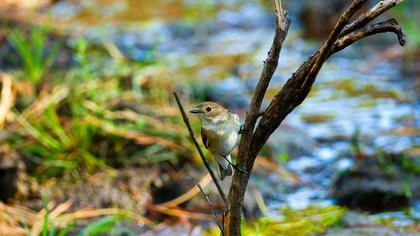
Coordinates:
(197, 145)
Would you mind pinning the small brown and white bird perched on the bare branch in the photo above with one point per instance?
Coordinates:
(219, 133)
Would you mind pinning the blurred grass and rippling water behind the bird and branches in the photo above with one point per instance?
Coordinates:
(92, 143)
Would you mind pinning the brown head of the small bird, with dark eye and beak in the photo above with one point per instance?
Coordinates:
(210, 112)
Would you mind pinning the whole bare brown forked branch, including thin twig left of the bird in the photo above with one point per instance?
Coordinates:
(348, 29)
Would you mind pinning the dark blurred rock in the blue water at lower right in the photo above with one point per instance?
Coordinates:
(378, 184)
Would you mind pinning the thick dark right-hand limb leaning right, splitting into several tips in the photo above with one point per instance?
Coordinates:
(299, 85)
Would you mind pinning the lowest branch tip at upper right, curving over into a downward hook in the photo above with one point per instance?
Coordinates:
(390, 25)
